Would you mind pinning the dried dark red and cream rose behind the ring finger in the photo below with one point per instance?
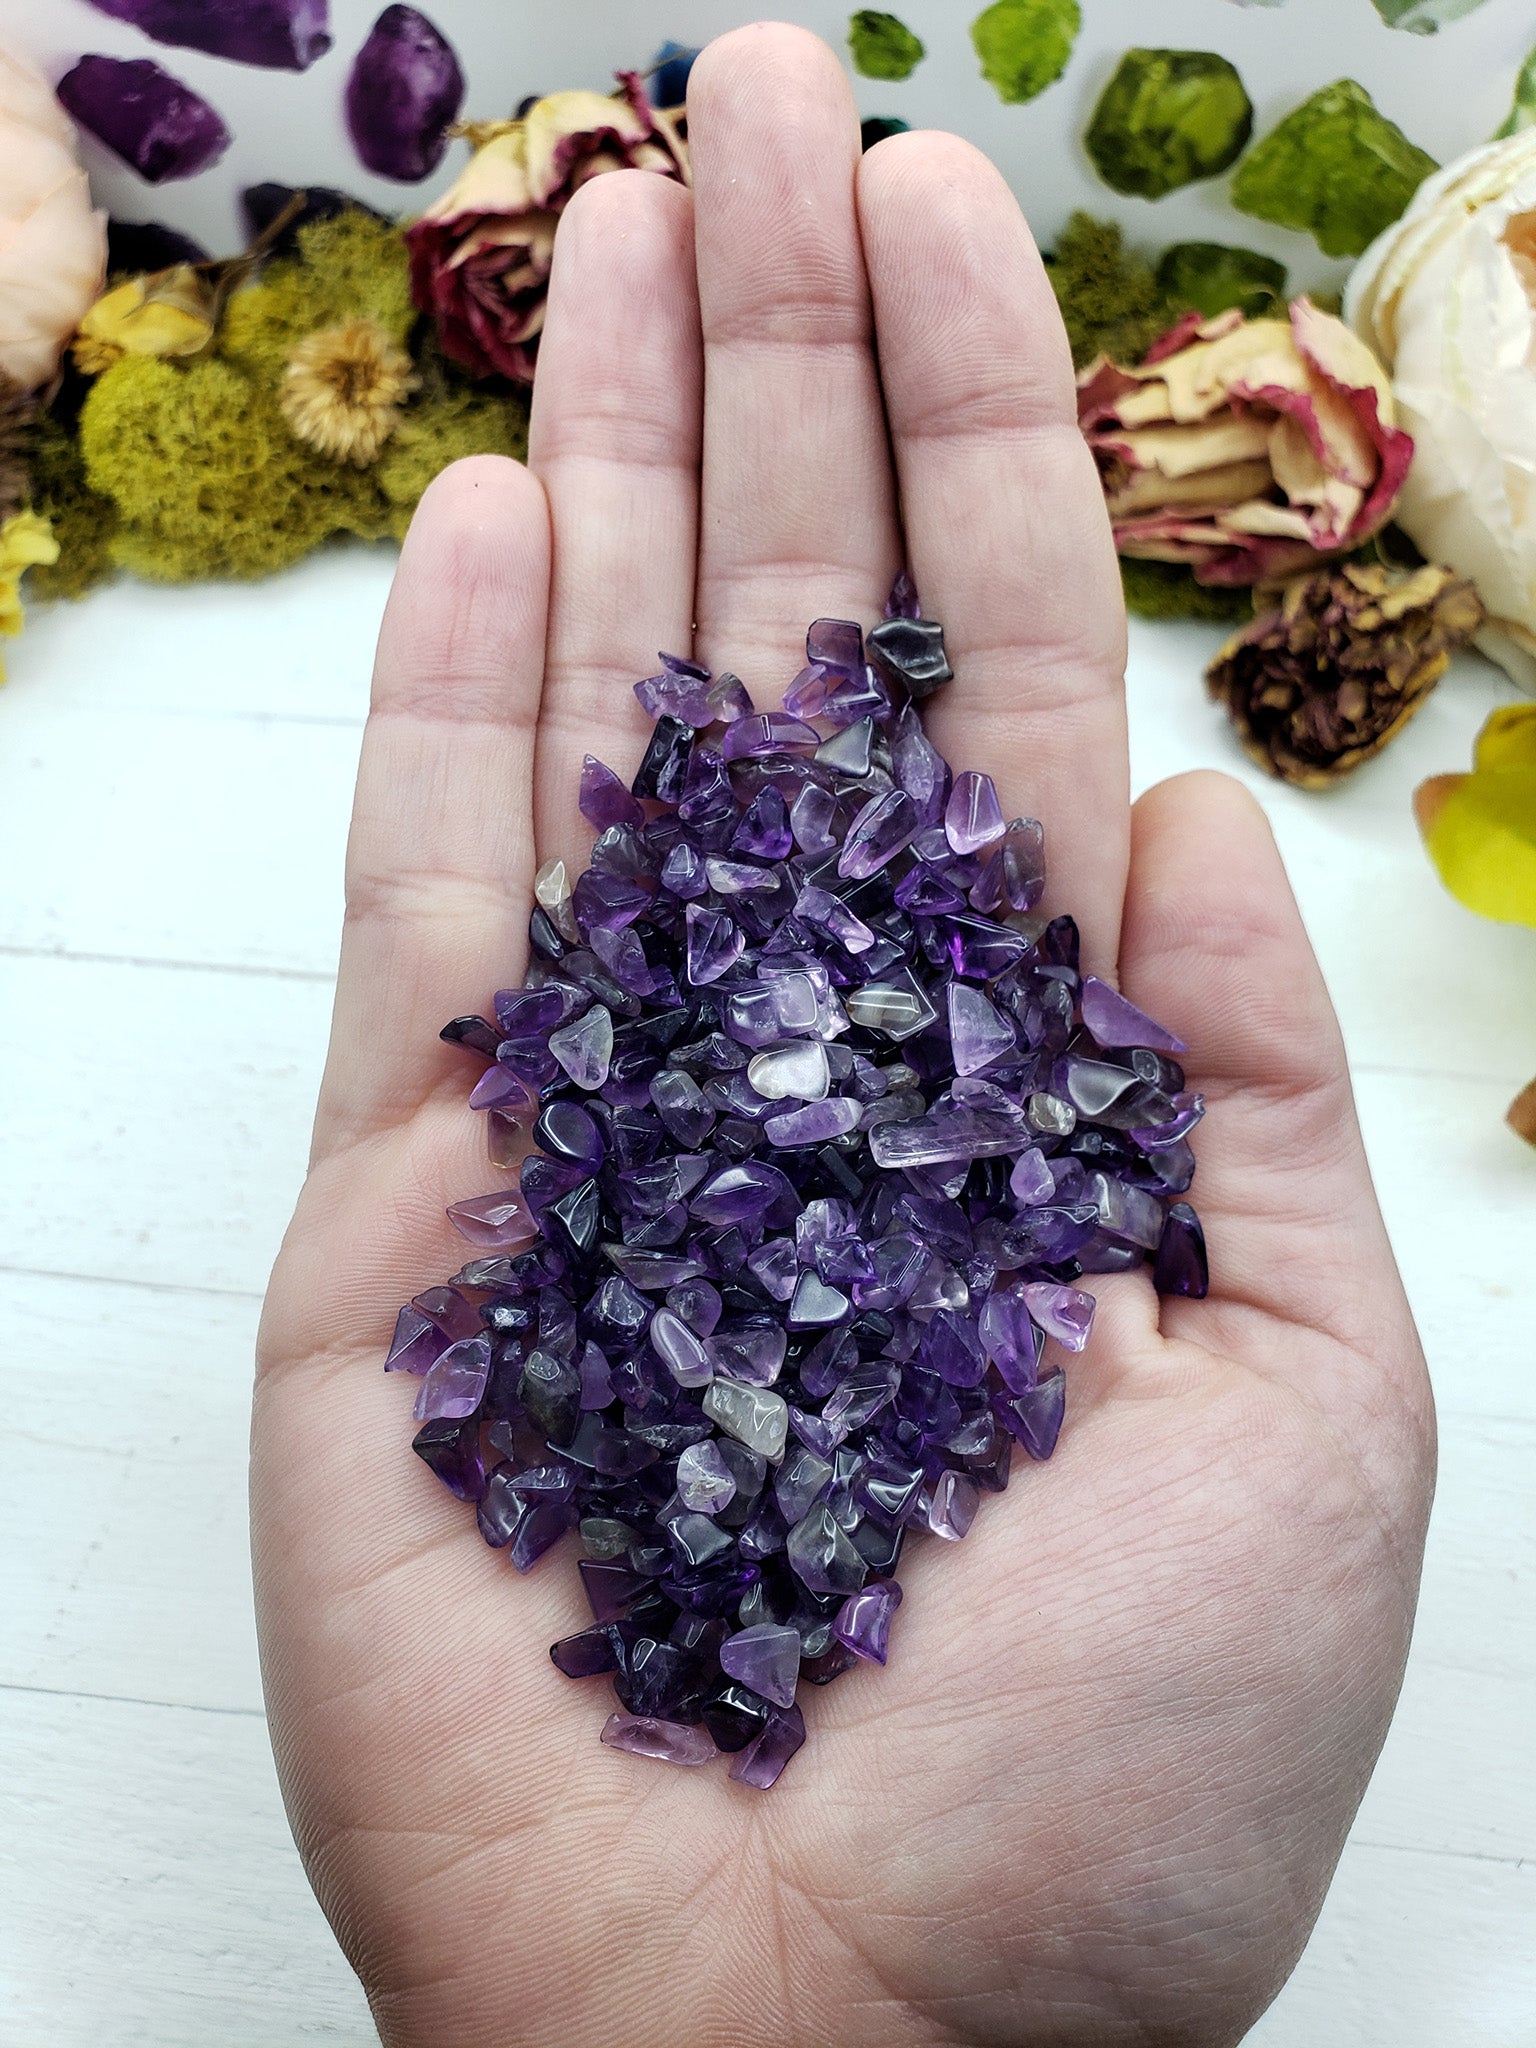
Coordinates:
(482, 253)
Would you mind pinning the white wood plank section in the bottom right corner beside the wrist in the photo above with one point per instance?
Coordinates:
(1418, 1953)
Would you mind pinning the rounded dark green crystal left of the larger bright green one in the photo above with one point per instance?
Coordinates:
(1168, 118)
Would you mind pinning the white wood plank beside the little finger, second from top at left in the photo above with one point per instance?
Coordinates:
(171, 839)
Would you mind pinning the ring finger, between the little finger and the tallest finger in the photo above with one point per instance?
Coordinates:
(615, 439)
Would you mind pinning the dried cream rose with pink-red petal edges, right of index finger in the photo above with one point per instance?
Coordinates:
(1252, 450)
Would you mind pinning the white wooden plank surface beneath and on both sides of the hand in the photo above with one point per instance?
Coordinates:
(175, 779)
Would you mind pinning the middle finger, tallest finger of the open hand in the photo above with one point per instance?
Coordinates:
(800, 505)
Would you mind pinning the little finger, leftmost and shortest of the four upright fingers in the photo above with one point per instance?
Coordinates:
(441, 851)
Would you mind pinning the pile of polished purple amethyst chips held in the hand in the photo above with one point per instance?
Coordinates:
(828, 1125)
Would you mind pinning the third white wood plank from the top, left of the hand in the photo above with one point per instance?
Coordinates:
(157, 1121)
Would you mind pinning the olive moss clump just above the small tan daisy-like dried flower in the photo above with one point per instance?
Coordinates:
(345, 267)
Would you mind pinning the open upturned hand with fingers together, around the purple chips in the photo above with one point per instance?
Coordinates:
(1103, 1785)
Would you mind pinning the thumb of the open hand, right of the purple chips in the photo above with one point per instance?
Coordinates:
(1218, 951)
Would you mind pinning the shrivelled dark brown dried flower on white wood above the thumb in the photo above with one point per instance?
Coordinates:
(1340, 665)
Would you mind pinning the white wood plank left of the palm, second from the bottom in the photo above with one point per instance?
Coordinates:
(124, 1533)
